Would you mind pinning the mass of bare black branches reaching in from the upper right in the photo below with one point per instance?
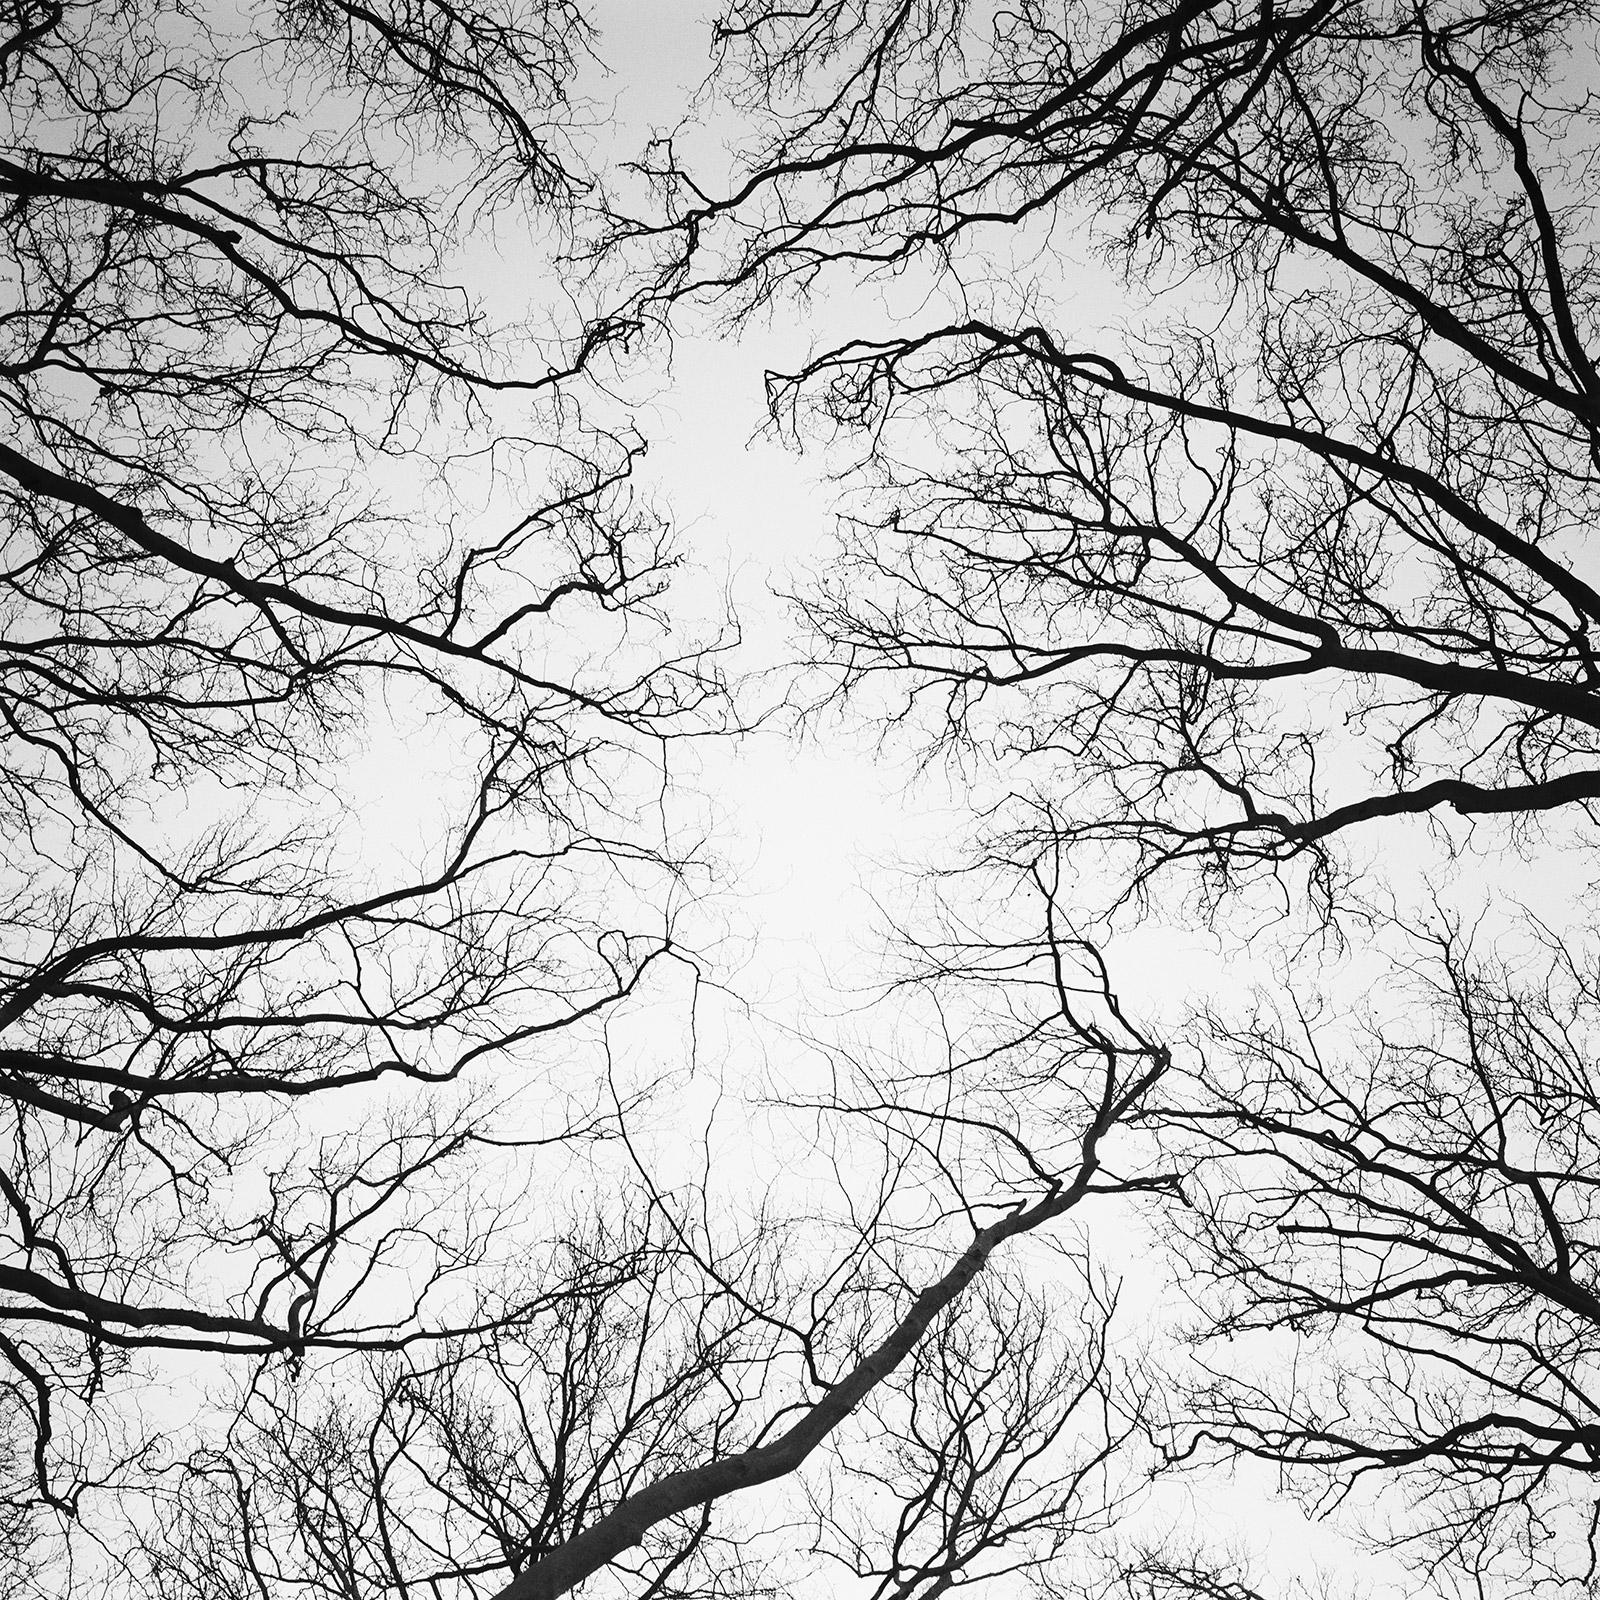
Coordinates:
(1258, 574)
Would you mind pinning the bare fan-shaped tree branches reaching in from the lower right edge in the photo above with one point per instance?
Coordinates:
(1415, 1198)
